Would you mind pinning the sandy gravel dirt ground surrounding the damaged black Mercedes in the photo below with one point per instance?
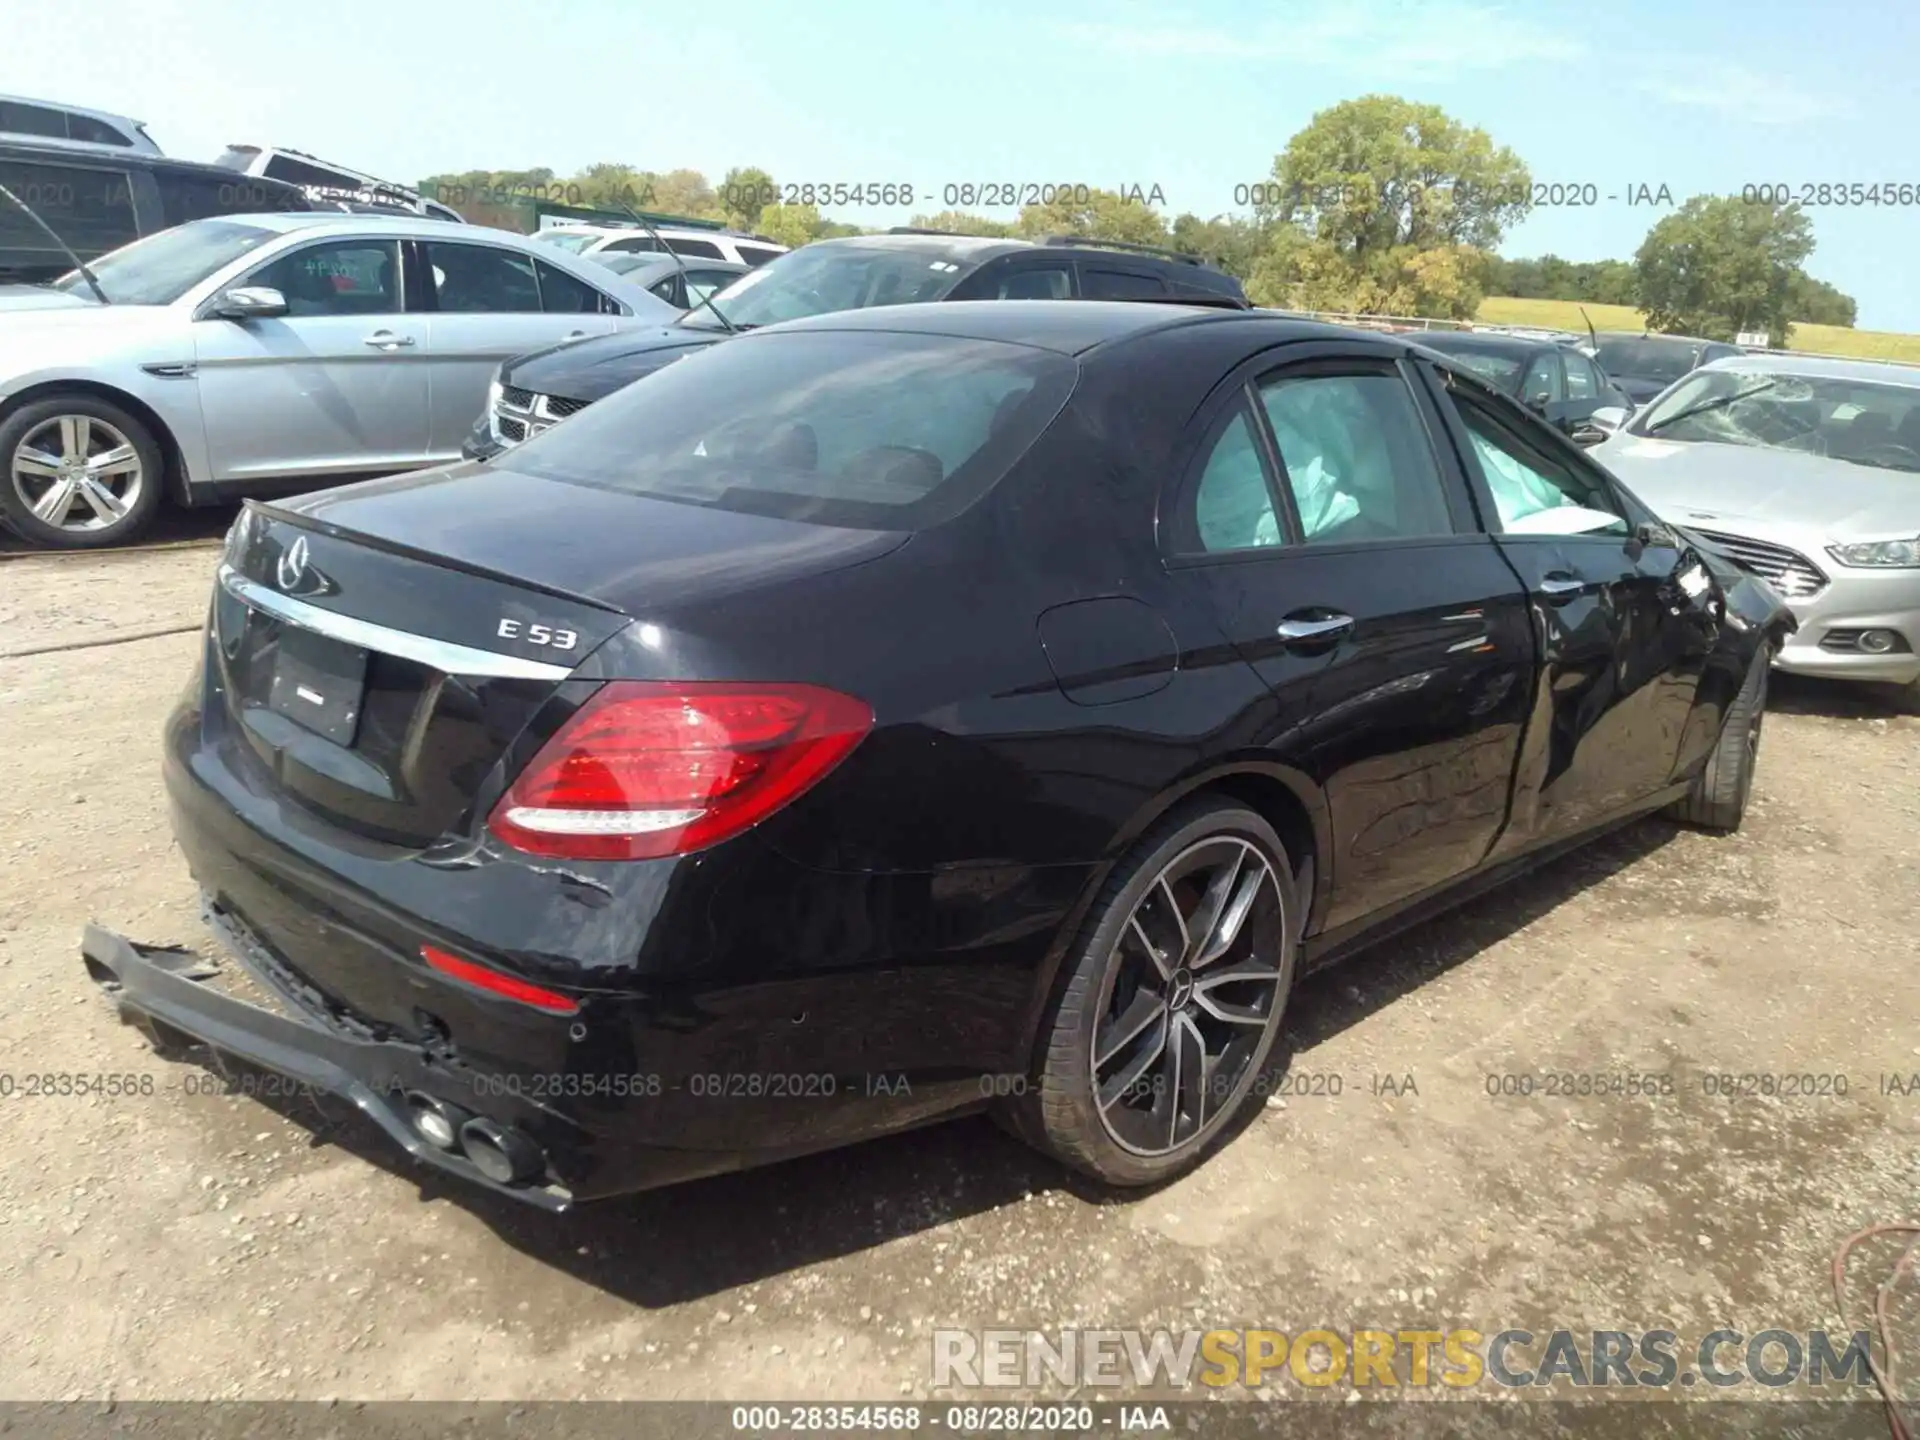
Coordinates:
(189, 1245)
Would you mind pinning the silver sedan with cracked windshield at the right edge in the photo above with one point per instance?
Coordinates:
(1806, 471)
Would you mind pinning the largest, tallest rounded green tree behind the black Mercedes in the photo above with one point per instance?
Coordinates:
(1395, 203)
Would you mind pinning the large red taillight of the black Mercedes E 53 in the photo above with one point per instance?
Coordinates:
(660, 767)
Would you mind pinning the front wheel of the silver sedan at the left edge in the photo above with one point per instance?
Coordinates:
(78, 473)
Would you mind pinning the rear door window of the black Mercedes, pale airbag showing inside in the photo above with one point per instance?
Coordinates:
(1356, 456)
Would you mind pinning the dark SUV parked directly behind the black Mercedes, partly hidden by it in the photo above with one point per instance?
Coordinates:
(900, 268)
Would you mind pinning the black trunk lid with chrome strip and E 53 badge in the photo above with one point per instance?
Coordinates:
(379, 648)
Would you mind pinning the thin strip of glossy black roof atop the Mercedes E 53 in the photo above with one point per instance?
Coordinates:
(1070, 327)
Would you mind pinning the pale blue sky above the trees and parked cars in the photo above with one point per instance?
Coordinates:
(1698, 95)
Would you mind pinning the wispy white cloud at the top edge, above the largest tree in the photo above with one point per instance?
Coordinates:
(1380, 39)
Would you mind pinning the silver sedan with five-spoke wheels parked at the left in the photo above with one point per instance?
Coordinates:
(264, 354)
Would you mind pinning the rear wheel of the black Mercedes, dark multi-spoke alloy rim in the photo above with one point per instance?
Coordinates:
(1176, 992)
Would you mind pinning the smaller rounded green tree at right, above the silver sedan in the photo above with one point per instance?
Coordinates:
(1721, 266)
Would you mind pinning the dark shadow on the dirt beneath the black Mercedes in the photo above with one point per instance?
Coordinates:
(704, 1237)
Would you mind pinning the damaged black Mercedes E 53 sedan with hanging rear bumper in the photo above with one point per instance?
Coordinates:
(901, 713)
